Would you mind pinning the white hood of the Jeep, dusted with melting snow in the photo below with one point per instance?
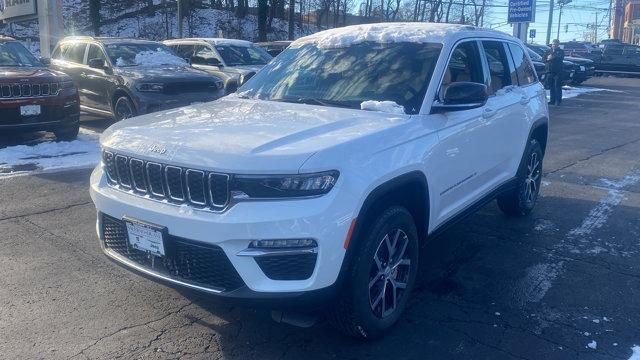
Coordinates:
(244, 136)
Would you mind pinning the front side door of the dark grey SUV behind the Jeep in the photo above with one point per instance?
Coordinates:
(96, 82)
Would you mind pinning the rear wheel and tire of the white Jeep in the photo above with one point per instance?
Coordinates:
(522, 199)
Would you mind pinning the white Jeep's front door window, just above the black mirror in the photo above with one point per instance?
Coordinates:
(464, 65)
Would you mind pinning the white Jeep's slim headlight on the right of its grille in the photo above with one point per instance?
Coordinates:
(282, 186)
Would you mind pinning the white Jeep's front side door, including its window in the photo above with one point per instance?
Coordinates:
(460, 167)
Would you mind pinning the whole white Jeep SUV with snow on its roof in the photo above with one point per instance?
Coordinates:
(318, 180)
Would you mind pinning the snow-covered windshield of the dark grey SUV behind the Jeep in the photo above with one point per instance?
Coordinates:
(144, 54)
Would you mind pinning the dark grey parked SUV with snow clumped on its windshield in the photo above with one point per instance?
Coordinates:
(122, 78)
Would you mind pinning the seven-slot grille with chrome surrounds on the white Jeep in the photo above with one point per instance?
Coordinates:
(172, 183)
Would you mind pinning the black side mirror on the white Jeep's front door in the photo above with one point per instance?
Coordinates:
(461, 95)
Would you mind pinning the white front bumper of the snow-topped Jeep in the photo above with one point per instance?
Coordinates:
(321, 219)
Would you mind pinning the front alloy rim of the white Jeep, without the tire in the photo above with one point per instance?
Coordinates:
(389, 273)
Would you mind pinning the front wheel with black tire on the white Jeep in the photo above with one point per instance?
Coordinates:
(360, 311)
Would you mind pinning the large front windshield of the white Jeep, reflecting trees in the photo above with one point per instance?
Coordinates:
(348, 76)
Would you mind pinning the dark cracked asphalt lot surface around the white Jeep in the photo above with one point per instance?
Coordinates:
(562, 283)
